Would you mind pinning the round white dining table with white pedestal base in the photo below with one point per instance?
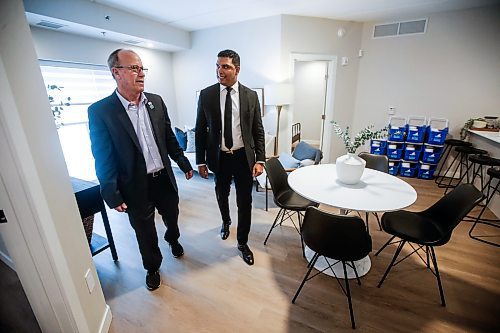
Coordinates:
(376, 192)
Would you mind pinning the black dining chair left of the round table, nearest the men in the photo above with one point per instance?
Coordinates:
(285, 198)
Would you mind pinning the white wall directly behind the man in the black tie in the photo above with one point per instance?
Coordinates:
(258, 44)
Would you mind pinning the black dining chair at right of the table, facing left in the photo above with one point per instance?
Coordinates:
(429, 228)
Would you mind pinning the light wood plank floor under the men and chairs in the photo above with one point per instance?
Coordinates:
(211, 289)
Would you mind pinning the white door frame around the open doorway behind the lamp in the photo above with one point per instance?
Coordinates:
(332, 61)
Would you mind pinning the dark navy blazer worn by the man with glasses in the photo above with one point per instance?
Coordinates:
(119, 162)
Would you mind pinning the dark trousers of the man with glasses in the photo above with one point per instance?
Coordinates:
(162, 196)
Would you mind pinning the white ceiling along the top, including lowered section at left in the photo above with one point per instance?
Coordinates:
(191, 15)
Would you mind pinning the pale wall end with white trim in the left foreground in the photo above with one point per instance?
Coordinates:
(48, 217)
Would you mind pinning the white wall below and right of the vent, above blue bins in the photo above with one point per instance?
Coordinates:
(451, 71)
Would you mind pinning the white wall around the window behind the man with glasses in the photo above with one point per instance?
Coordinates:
(54, 45)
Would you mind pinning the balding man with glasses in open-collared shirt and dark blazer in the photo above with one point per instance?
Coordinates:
(131, 140)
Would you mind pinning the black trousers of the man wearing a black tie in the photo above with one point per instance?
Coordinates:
(235, 166)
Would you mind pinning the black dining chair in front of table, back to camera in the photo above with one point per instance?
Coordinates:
(342, 238)
